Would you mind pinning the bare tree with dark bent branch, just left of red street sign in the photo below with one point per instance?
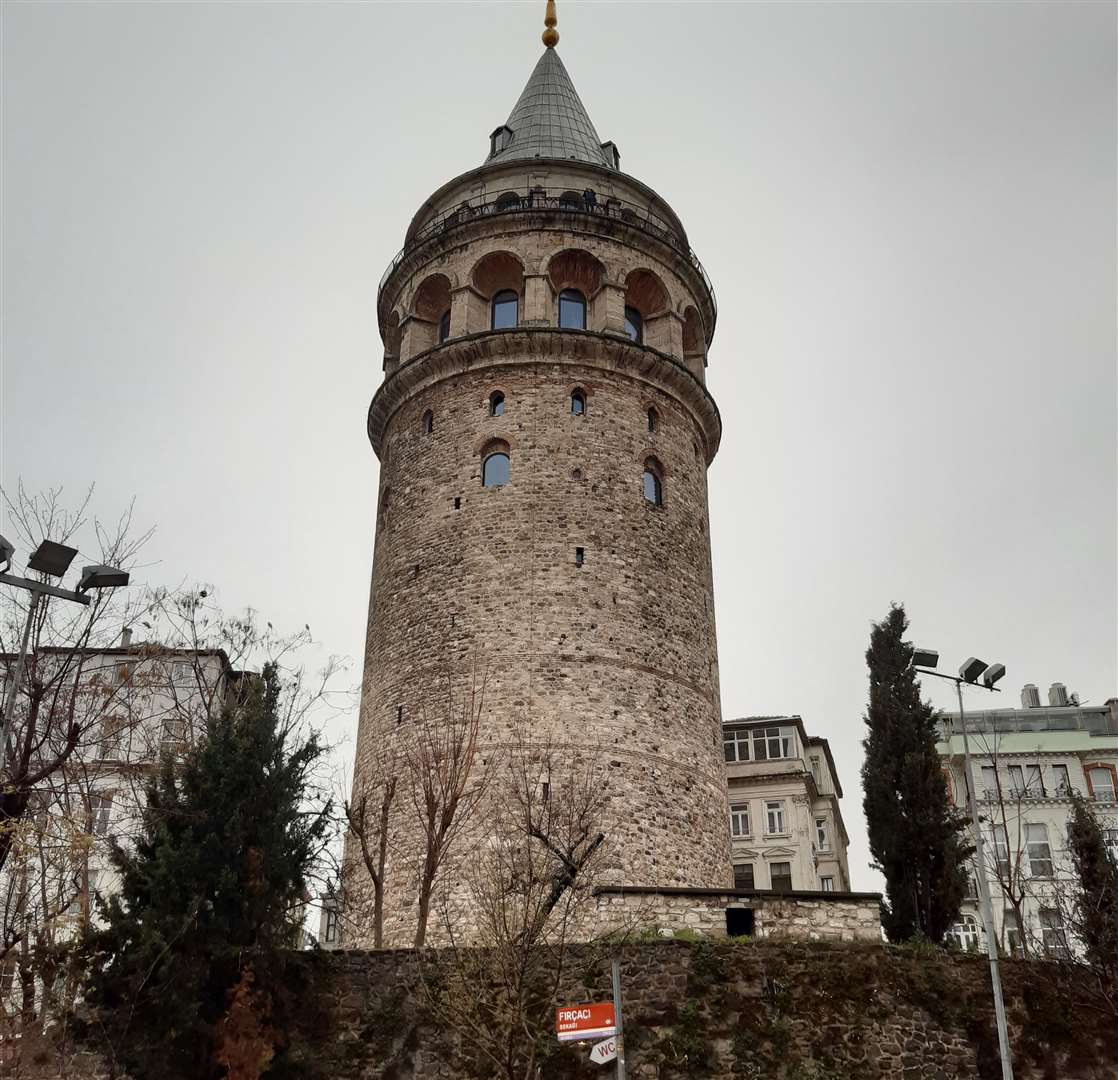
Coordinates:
(530, 897)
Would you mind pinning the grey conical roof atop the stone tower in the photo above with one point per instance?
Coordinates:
(549, 121)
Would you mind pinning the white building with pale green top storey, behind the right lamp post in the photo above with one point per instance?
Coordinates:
(1027, 763)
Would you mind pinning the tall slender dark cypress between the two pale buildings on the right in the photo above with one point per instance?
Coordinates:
(916, 836)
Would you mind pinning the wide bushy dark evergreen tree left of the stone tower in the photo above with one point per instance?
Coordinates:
(212, 893)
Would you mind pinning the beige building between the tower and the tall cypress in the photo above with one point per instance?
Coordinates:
(787, 827)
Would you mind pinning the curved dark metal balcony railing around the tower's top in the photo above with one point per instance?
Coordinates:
(535, 200)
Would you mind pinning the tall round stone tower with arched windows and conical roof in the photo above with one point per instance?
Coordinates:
(544, 431)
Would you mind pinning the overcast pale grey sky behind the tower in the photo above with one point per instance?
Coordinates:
(908, 213)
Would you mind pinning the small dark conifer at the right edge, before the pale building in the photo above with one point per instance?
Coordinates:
(1095, 901)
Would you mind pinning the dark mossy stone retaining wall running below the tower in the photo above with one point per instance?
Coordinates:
(753, 1010)
